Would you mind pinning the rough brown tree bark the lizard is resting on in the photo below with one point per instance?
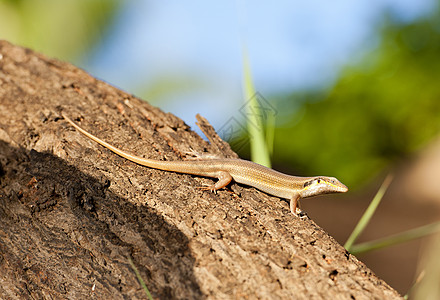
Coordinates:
(72, 213)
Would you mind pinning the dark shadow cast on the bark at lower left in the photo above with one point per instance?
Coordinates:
(64, 234)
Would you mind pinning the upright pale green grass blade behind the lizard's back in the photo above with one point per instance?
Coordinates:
(259, 150)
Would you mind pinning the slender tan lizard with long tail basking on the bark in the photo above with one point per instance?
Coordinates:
(292, 188)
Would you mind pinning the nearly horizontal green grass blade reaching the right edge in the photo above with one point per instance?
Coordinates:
(395, 239)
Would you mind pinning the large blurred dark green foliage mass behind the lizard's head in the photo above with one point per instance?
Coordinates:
(382, 109)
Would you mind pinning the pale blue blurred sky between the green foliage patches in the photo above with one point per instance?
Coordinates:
(291, 45)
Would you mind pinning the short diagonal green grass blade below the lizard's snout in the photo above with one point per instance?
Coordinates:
(363, 222)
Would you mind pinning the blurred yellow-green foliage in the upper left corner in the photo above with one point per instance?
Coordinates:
(63, 29)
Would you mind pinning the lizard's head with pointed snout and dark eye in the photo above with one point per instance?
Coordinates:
(322, 185)
